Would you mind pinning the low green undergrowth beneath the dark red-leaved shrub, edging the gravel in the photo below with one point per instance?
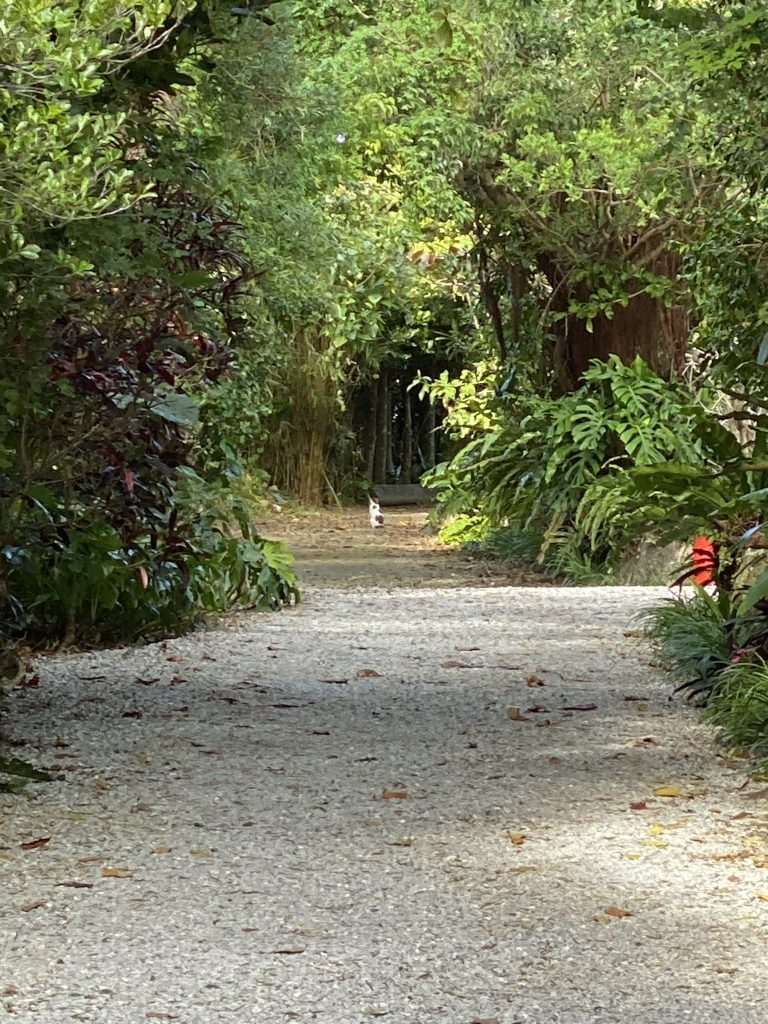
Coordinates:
(78, 578)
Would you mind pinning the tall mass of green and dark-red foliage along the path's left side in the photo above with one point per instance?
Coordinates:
(123, 293)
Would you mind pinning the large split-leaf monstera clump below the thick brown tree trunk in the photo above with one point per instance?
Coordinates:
(558, 467)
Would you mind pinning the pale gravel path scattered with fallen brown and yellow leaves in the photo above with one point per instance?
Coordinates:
(379, 805)
